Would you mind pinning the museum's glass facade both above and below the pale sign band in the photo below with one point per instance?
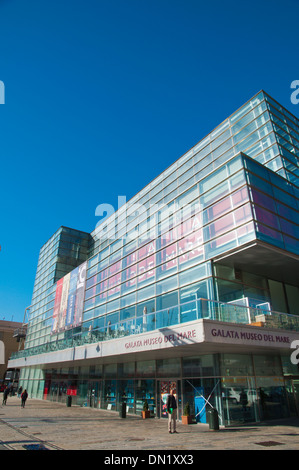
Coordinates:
(157, 262)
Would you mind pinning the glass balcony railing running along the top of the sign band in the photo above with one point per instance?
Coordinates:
(190, 311)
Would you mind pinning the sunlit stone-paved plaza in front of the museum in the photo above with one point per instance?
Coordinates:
(54, 426)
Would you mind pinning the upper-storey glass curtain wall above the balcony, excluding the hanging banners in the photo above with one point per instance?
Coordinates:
(153, 254)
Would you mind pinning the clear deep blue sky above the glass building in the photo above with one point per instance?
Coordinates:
(102, 95)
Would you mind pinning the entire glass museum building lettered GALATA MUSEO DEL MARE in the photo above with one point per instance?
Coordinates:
(193, 284)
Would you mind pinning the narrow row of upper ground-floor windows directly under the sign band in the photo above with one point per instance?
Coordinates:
(227, 365)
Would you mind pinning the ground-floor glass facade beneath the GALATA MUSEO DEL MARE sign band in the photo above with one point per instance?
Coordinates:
(243, 387)
